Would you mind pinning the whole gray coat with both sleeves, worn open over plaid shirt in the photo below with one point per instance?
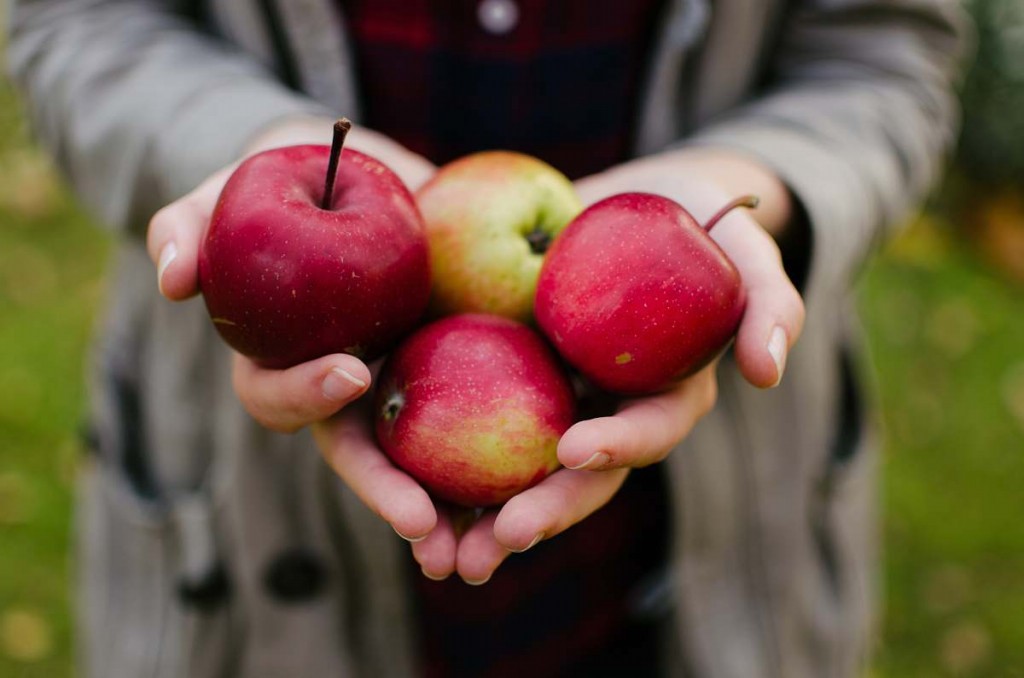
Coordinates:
(194, 522)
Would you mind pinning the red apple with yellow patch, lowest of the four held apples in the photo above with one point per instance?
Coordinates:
(473, 407)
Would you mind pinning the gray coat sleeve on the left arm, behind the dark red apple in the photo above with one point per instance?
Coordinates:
(137, 103)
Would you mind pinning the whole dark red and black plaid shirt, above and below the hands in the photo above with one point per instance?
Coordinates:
(562, 84)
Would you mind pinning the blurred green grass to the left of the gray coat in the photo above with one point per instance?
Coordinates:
(52, 262)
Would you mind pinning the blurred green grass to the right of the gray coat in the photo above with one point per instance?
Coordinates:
(948, 343)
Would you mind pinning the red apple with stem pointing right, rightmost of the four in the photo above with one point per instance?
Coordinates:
(636, 295)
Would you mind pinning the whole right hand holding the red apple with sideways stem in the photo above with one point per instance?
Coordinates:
(645, 431)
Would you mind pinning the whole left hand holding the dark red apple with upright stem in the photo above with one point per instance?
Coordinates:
(316, 393)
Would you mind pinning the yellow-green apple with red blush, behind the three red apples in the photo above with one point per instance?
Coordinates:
(491, 218)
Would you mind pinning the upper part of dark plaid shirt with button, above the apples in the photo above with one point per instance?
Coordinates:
(561, 84)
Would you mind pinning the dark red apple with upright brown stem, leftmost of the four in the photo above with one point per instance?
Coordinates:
(293, 267)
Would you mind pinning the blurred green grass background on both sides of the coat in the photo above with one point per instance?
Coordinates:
(947, 338)
